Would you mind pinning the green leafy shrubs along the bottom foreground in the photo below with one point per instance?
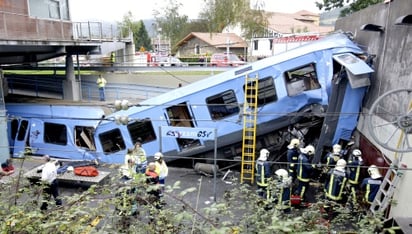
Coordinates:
(123, 207)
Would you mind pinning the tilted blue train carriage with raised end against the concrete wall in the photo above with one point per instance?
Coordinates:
(313, 92)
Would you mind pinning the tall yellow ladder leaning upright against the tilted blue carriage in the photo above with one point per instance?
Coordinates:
(249, 129)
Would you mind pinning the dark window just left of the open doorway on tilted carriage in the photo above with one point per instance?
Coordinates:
(142, 129)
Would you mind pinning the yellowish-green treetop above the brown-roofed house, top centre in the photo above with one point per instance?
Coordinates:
(224, 13)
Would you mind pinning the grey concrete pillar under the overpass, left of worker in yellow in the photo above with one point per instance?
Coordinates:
(71, 85)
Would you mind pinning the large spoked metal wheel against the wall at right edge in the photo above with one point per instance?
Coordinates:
(390, 120)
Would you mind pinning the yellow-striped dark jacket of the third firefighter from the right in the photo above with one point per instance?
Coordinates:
(335, 184)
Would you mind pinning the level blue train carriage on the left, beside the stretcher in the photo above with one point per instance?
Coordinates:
(62, 131)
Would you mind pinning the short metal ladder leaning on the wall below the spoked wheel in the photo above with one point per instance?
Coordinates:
(384, 196)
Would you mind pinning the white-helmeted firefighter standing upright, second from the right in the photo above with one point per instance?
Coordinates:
(355, 163)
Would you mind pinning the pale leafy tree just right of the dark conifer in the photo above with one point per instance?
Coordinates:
(170, 24)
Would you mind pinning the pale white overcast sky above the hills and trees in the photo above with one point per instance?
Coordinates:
(114, 10)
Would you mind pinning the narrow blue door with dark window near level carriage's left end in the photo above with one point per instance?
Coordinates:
(20, 138)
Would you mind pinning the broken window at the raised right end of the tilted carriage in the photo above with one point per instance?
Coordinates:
(301, 79)
